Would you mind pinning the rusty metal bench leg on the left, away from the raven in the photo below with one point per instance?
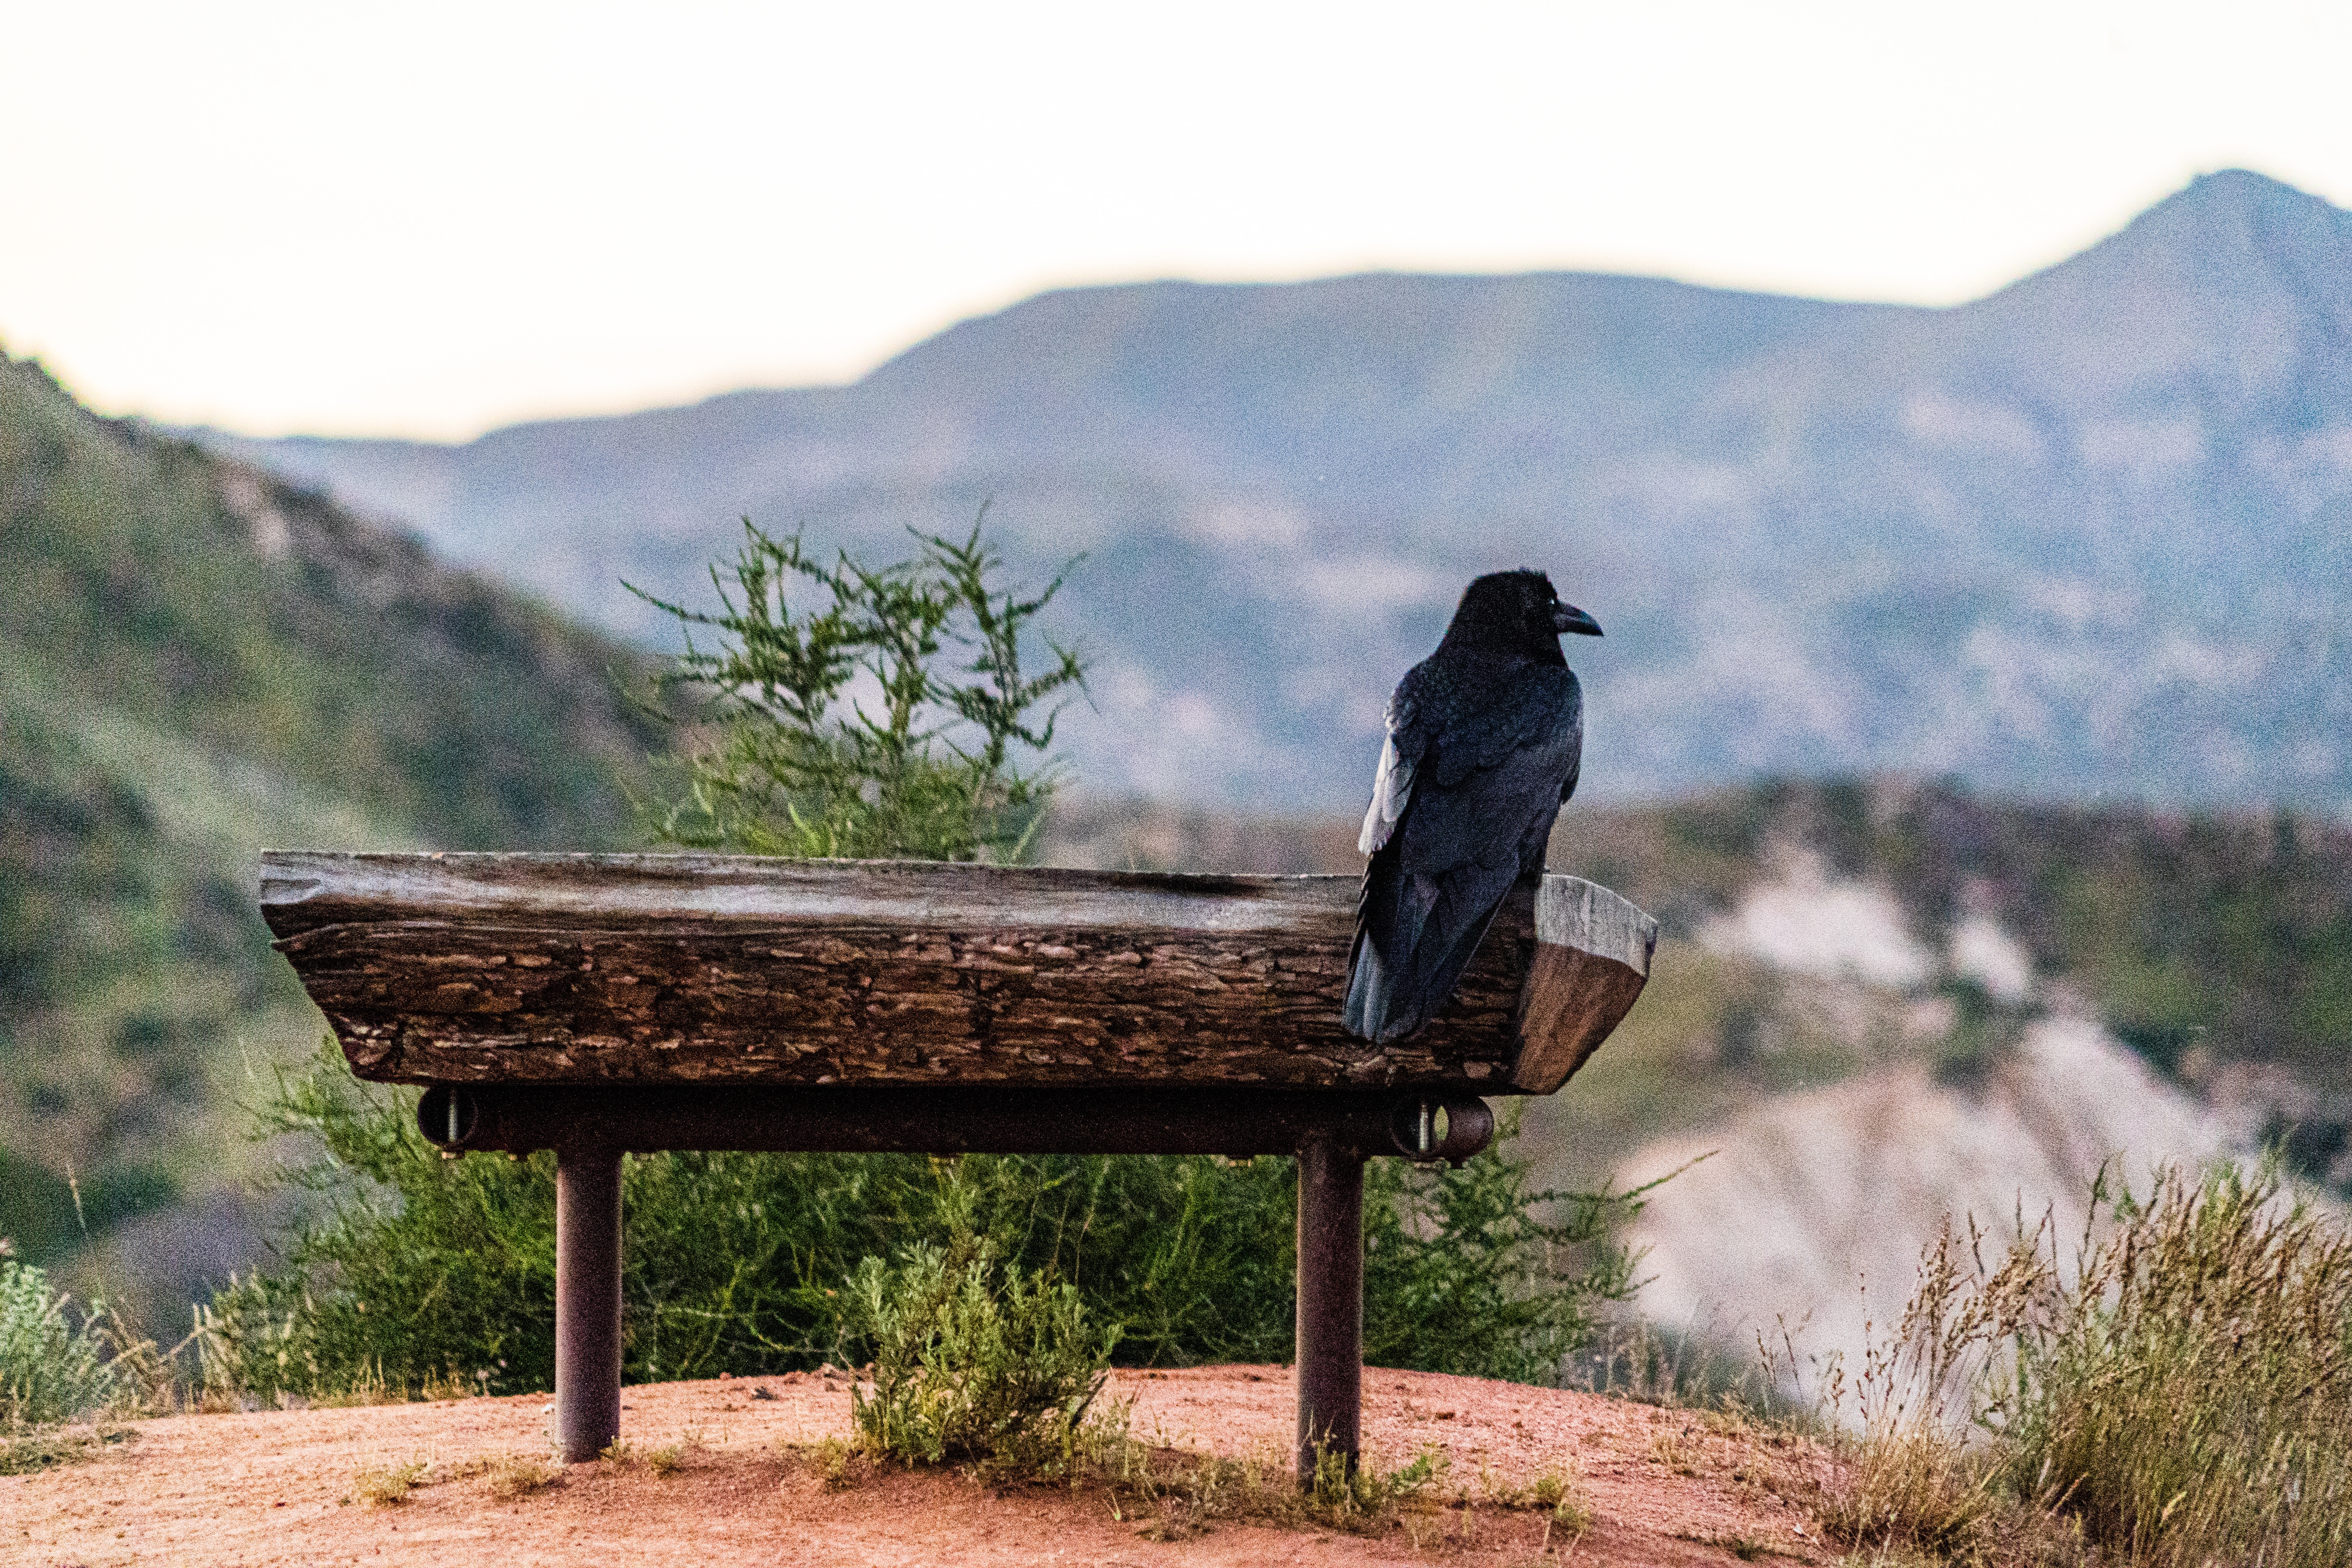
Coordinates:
(587, 1304)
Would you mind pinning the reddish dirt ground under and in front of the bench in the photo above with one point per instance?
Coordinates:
(274, 1487)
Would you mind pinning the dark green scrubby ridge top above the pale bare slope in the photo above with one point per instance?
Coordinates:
(2200, 939)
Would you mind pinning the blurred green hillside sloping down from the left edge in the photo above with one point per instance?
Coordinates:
(199, 662)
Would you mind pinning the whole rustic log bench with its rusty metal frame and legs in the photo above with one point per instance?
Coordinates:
(606, 1005)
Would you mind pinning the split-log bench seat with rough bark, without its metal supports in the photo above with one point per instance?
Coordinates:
(709, 970)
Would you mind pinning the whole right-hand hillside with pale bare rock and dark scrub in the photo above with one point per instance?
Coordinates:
(1885, 1003)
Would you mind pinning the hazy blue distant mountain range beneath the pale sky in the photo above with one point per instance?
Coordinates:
(2085, 537)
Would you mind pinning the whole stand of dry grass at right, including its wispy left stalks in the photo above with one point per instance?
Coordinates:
(2179, 1393)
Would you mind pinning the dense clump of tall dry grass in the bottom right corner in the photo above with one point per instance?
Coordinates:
(2189, 1395)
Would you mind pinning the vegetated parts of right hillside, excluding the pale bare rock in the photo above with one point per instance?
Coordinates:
(2217, 946)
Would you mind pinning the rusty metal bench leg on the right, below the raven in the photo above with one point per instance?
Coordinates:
(1330, 1304)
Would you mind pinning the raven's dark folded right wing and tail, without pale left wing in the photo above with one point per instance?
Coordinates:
(1476, 822)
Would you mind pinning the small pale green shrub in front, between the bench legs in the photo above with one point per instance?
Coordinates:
(973, 1362)
